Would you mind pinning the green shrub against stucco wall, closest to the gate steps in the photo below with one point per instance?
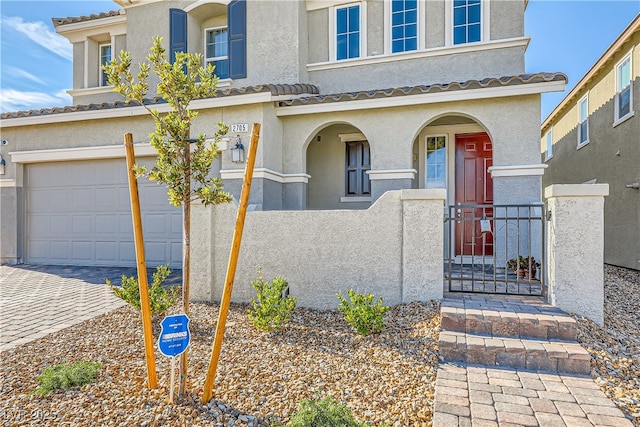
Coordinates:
(362, 313)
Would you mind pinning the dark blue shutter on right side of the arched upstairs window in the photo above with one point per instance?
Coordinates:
(237, 20)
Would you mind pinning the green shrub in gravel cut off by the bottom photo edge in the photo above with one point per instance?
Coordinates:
(323, 413)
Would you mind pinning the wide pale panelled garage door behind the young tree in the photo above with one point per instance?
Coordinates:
(79, 213)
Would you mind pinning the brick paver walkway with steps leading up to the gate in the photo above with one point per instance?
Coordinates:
(514, 361)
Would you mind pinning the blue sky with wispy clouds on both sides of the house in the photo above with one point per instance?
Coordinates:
(567, 36)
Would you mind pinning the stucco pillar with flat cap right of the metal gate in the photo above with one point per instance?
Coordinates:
(575, 244)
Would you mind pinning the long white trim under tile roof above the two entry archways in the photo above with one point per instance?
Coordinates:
(427, 98)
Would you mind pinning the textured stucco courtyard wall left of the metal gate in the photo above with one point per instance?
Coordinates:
(393, 249)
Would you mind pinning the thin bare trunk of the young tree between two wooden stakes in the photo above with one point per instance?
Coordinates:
(186, 265)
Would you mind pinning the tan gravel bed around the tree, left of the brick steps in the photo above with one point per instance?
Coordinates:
(386, 379)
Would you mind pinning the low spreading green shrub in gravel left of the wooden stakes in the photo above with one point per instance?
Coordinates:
(64, 376)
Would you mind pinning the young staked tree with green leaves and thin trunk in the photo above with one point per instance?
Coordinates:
(183, 164)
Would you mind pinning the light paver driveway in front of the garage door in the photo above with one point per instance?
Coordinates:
(39, 300)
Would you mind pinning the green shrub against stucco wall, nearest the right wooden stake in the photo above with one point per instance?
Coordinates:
(273, 307)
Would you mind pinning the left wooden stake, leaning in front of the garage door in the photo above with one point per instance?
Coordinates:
(141, 263)
